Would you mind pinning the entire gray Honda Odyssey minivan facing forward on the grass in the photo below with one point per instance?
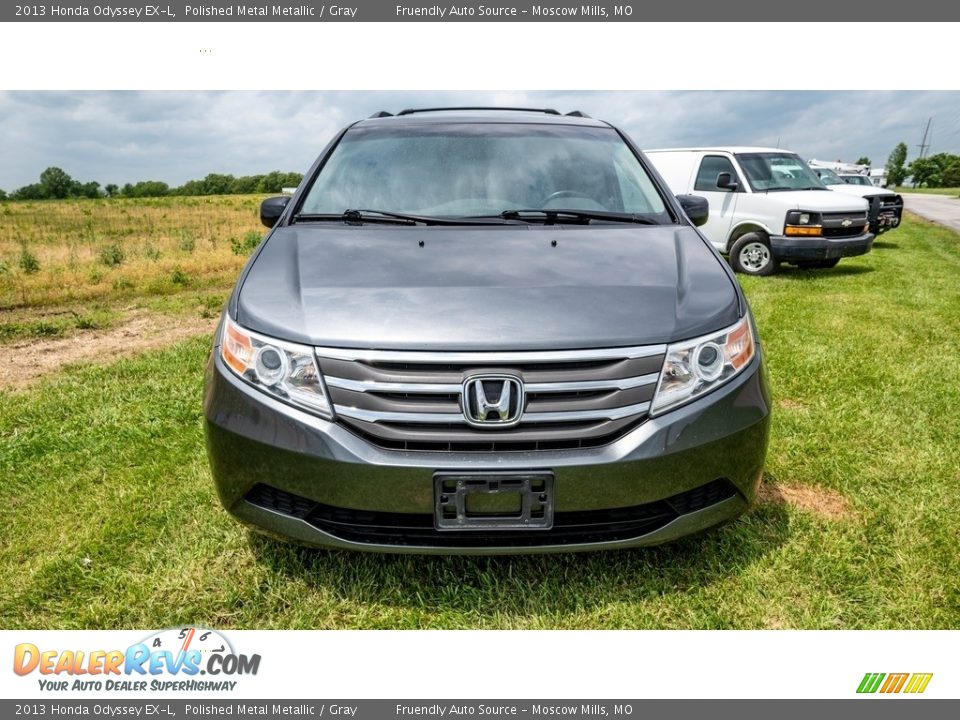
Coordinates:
(485, 331)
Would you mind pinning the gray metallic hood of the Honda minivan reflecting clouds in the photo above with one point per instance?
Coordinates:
(486, 288)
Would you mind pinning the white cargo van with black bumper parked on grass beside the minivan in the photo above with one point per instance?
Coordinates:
(767, 206)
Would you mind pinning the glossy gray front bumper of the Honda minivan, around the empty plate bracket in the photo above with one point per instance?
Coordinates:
(298, 476)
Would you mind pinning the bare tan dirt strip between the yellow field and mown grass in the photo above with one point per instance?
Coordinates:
(138, 332)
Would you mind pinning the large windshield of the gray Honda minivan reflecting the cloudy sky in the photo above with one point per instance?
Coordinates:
(458, 170)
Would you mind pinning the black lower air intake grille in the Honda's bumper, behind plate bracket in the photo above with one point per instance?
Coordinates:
(582, 526)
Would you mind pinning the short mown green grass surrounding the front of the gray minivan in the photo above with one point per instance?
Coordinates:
(110, 519)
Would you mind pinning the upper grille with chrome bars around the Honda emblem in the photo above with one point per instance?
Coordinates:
(414, 400)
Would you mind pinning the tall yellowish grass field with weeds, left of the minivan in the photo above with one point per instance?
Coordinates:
(70, 265)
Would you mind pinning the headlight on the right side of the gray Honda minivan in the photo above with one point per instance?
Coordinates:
(694, 367)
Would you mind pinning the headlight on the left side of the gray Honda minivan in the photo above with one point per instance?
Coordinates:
(284, 370)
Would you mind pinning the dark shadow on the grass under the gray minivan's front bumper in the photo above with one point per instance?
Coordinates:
(541, 589)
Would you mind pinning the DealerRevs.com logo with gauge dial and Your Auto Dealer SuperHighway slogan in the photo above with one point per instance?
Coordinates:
(178, 659)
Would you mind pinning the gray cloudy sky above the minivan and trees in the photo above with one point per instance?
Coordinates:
(119, 137)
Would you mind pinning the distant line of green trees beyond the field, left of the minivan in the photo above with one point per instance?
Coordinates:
(56, 184)
